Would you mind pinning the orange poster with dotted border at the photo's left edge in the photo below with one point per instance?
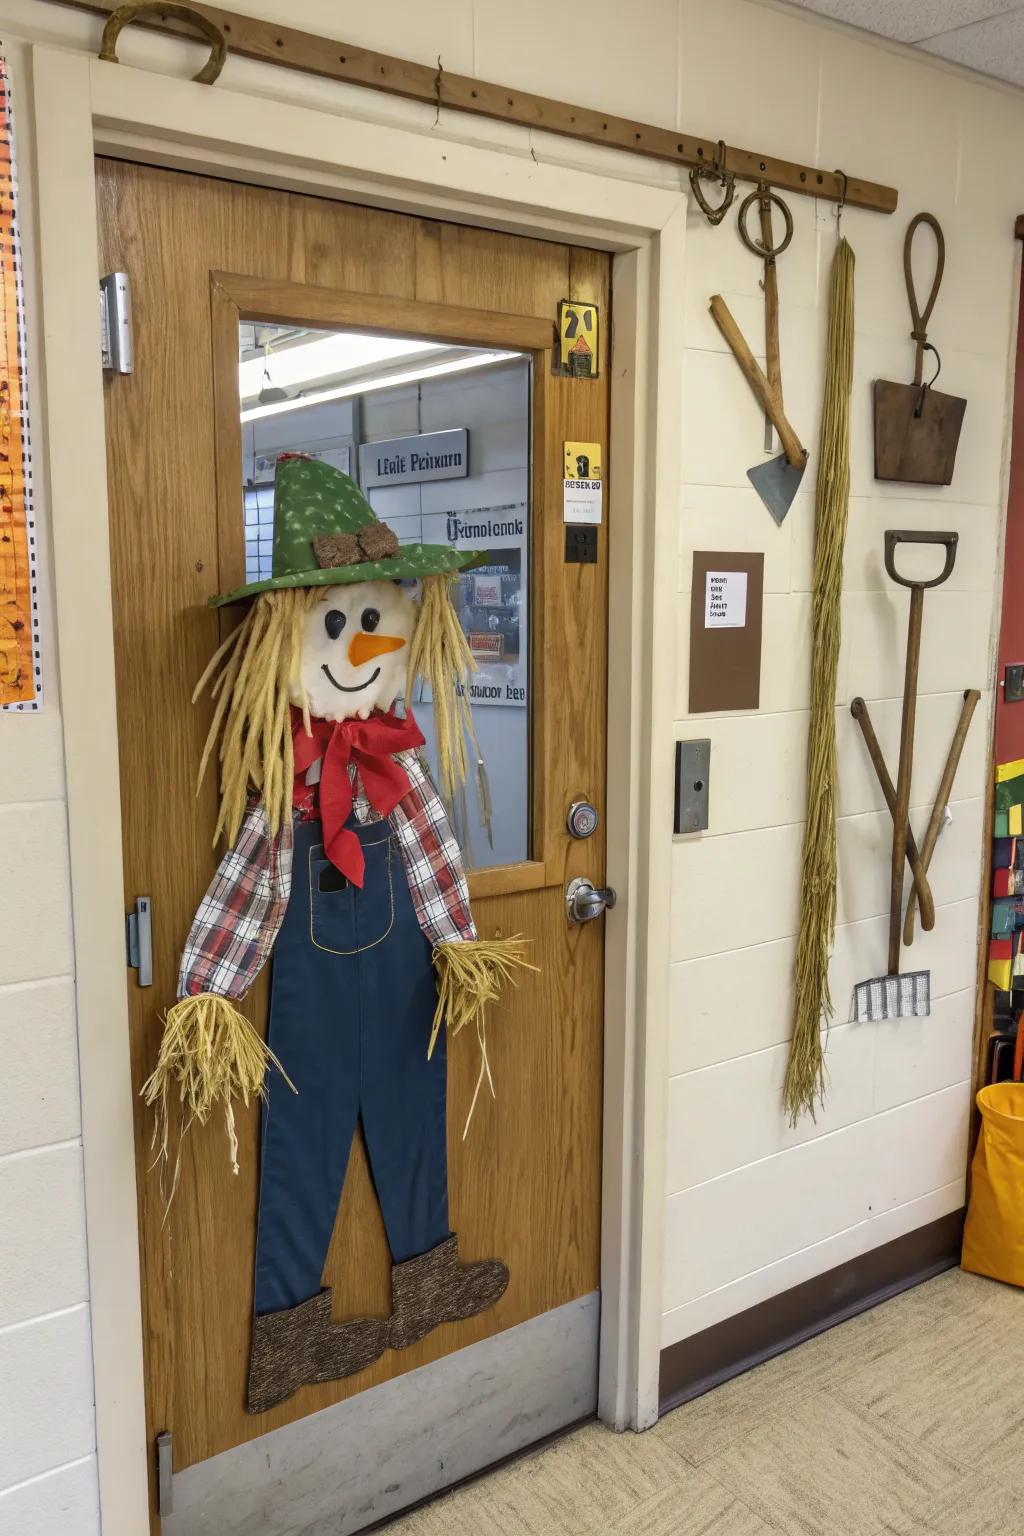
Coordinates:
(21, 675)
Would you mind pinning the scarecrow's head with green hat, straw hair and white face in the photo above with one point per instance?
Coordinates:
(346, 624)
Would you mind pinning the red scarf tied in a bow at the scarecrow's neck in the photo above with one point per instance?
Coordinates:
(371, 746)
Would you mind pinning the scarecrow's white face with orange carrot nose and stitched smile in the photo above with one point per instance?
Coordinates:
(355, 650)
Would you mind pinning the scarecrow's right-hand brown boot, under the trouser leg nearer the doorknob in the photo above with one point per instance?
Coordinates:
(435, 1288)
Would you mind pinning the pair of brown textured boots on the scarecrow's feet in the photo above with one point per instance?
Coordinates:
(302, 1346)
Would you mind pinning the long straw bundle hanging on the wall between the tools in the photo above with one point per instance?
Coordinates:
(805, 1074)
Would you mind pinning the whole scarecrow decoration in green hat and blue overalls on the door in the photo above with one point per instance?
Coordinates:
(342, 862)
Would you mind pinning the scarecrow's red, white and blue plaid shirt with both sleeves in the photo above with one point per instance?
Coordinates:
(242, 913)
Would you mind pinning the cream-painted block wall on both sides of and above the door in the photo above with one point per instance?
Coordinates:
(751, 1207)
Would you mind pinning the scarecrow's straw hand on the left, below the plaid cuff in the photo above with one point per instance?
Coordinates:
(211, 1054)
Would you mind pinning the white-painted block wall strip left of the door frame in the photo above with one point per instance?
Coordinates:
(48, 1478)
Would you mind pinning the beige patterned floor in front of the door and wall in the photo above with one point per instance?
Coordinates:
(907, 1422)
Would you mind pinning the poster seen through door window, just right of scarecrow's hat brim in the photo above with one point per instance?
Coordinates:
(492, 600)
